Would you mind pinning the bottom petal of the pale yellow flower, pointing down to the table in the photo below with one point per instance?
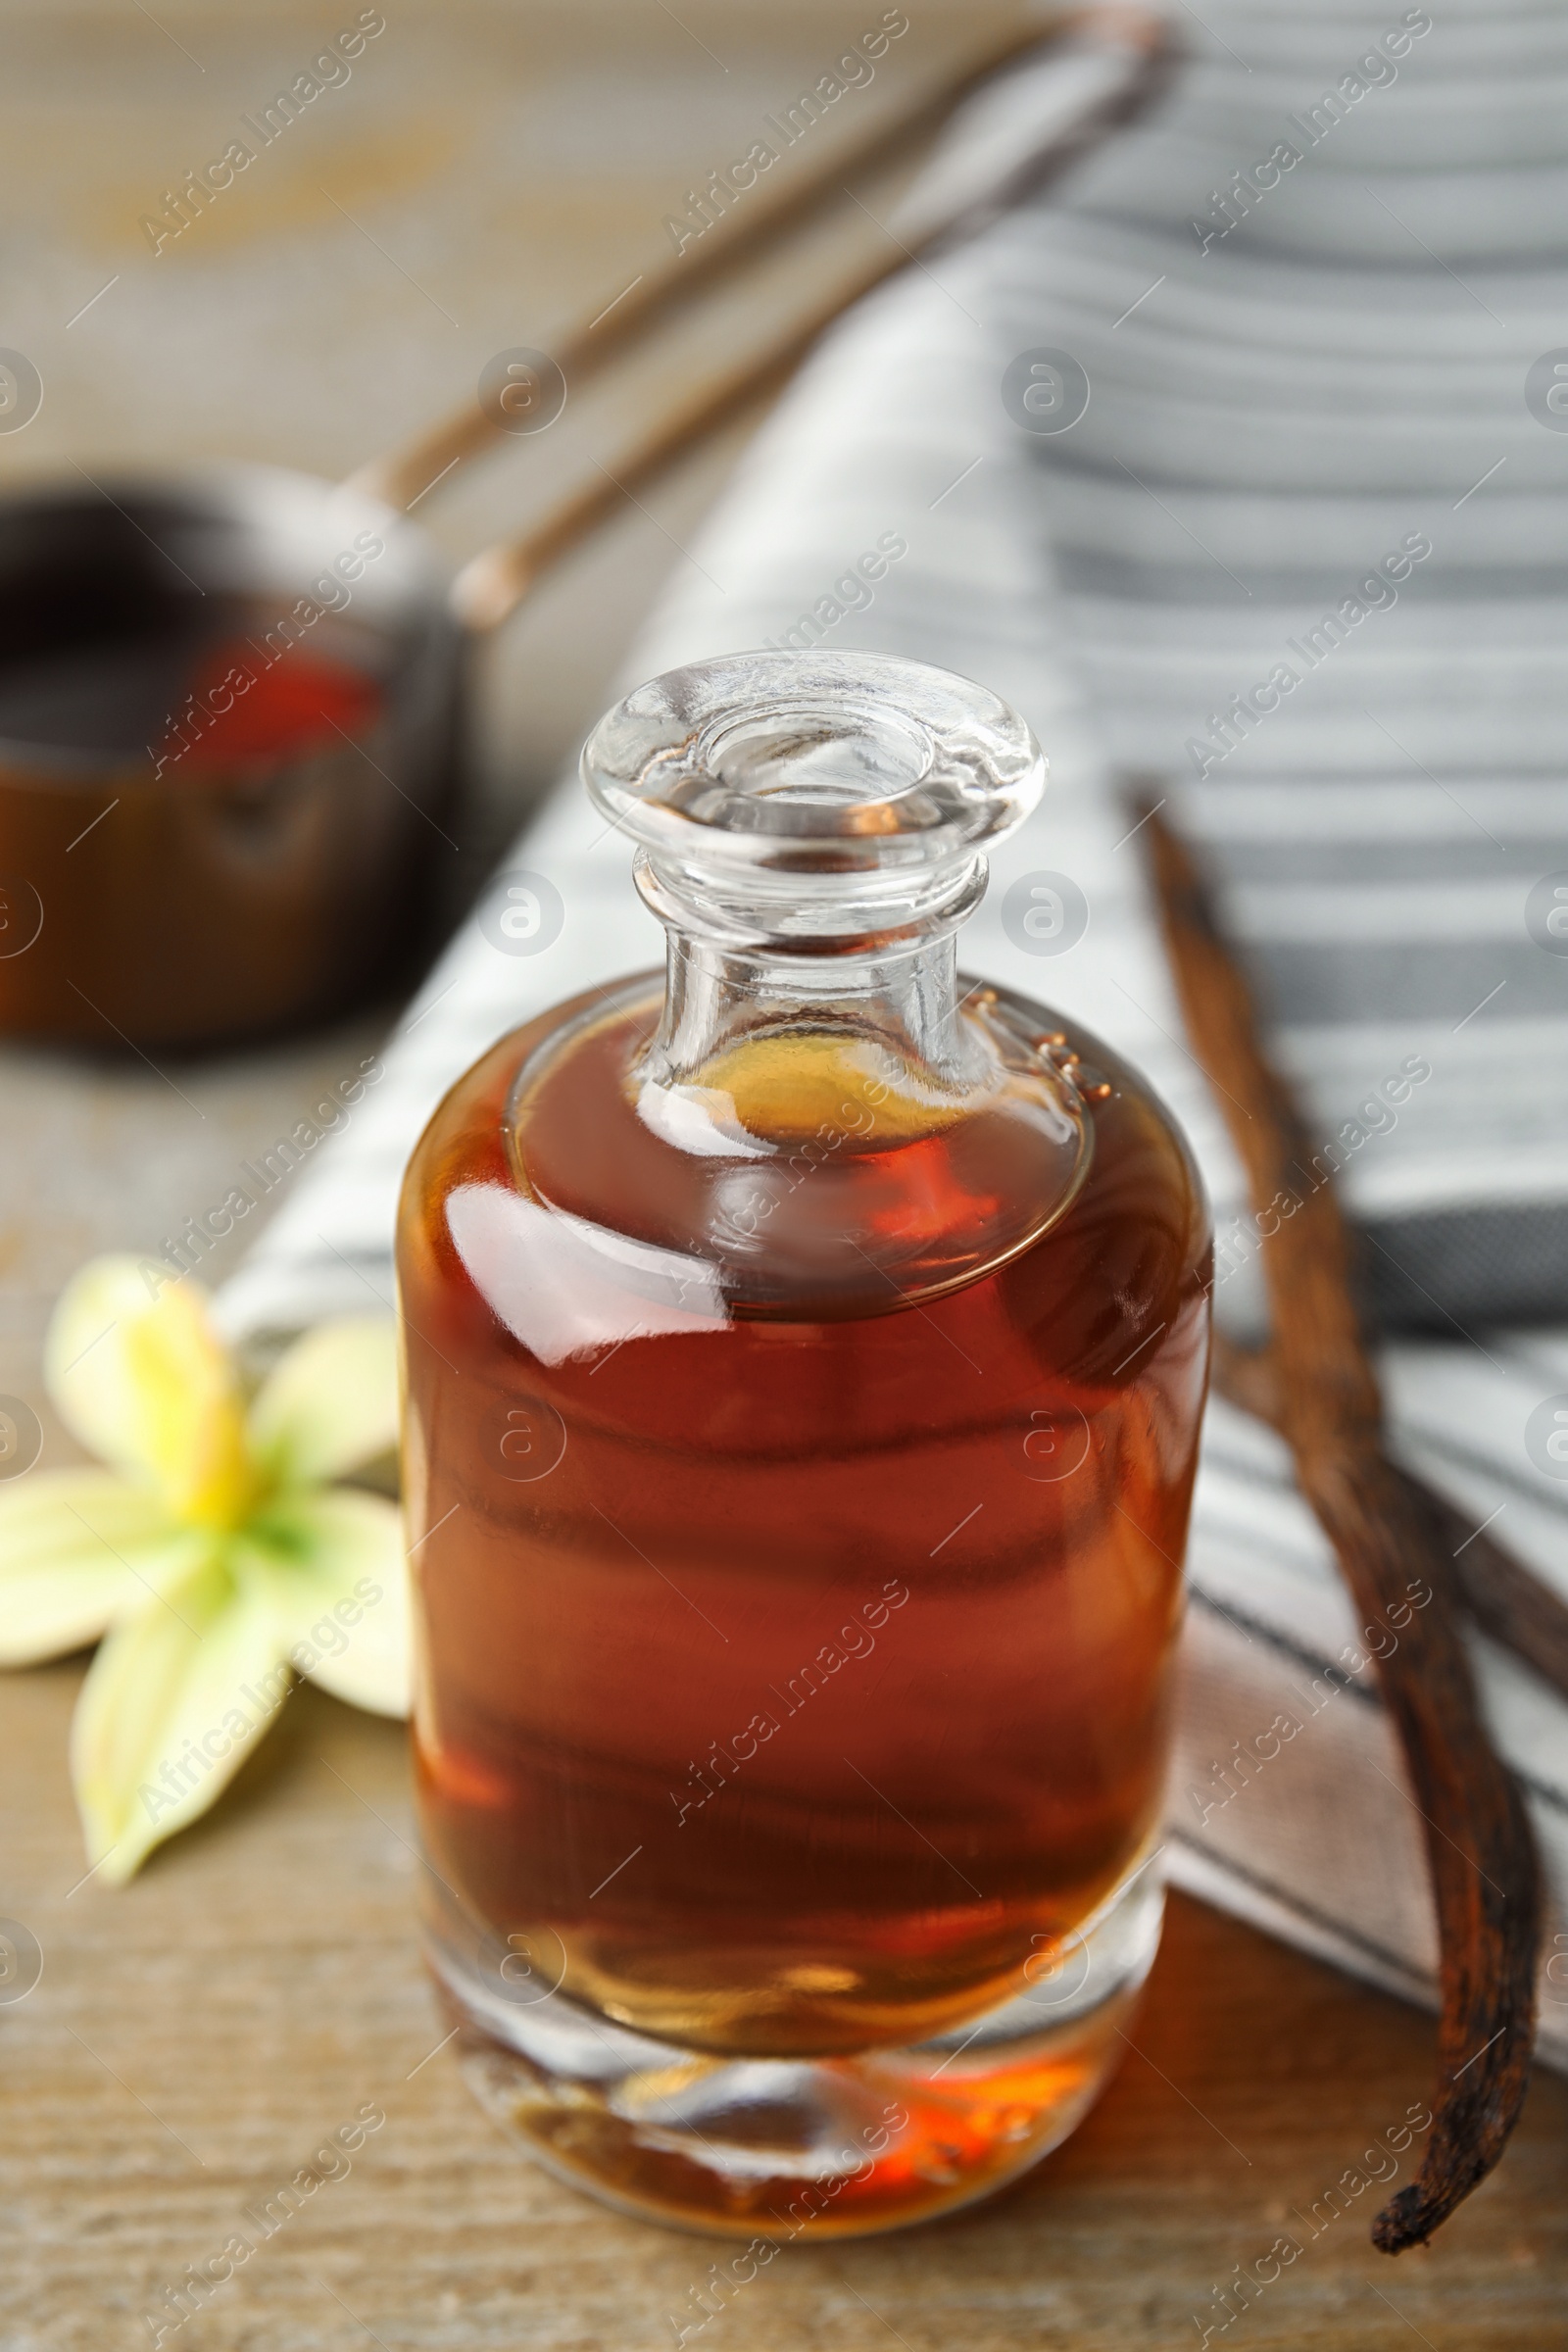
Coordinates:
(173, 1706)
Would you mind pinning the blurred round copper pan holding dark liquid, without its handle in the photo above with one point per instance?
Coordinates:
(152, 888)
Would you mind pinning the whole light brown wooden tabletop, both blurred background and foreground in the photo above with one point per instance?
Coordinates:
(196, 2038)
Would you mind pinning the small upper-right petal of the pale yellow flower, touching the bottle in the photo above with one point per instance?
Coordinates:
(330, 1405)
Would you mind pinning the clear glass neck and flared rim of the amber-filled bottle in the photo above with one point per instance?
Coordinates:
(812, 831)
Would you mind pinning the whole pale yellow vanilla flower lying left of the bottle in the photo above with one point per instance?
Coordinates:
(213, 1553)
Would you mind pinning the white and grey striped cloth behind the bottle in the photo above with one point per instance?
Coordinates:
(1282, 413)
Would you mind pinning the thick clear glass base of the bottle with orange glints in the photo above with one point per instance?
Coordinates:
(784, 2149)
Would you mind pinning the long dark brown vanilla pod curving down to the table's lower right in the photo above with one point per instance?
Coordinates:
(1383, 1525)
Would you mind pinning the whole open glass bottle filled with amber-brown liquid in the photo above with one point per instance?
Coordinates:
(805, 1358)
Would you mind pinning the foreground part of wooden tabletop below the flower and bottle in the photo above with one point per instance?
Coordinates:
(196, 2038)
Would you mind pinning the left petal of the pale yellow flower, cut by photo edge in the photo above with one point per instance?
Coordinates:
(81, 1551)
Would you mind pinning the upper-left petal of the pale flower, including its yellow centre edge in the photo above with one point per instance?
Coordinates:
(145, 1382)
